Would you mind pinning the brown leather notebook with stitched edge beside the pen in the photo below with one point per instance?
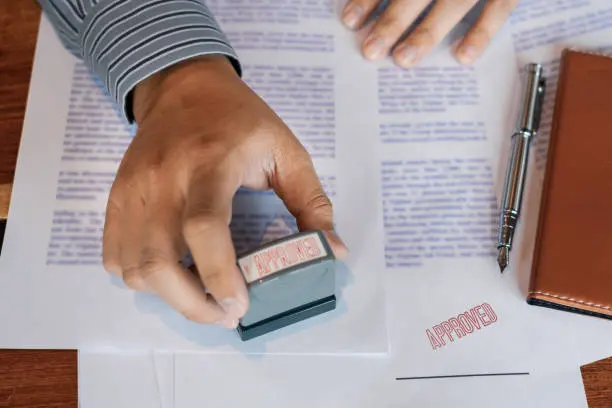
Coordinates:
(572, 265)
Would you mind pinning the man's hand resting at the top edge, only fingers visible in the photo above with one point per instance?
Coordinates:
(384, 37)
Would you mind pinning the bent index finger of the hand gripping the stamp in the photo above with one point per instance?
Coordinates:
(206, 231)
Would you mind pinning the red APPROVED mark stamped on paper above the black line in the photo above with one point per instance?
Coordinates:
(461, 325)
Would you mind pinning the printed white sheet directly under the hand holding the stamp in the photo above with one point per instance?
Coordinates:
(72, 141)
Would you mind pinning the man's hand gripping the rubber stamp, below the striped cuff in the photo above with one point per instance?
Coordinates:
(202, 134)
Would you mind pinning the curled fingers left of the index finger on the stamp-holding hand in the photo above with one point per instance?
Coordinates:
(144, 245)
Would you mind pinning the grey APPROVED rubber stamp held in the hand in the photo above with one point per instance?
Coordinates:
(289, 280)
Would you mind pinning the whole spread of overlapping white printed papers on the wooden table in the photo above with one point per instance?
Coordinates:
(414, 162)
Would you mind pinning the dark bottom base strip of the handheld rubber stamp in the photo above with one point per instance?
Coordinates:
(287, 318)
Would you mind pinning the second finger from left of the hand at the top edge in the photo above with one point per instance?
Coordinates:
(390, 26)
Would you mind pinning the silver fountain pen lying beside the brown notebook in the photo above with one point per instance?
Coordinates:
(526, 129)
